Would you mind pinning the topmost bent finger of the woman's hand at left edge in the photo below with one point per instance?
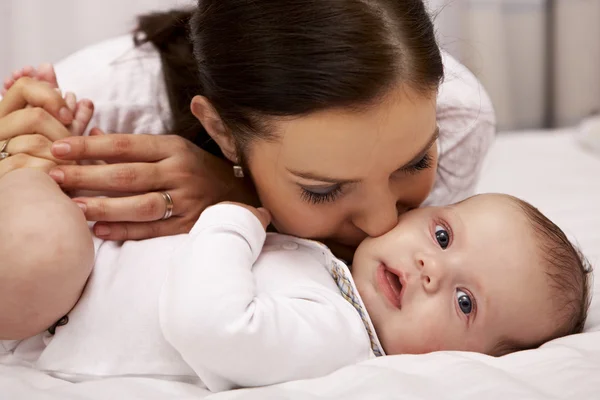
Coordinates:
(28, 91)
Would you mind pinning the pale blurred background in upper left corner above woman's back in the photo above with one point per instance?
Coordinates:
(34, 31)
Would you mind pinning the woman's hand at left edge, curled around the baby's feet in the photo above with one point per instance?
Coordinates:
(32, 116)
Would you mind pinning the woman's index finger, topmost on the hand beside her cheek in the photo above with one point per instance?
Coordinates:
(118, 147)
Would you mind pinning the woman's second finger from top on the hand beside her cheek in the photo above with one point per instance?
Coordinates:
(124, 178)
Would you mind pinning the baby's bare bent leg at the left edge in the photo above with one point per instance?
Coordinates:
(46, 253)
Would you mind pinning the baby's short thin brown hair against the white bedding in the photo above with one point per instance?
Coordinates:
(569, 272)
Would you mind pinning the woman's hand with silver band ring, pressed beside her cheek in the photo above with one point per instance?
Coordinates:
(144, 166)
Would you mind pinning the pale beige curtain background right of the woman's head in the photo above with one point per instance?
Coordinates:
(539, 59)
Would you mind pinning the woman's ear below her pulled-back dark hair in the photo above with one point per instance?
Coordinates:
(211, 120)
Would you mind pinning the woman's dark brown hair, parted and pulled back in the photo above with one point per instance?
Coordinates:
(258, 58)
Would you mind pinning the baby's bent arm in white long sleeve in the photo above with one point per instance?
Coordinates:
(233, 334)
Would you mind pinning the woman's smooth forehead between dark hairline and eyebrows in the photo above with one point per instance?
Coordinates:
(352, 143)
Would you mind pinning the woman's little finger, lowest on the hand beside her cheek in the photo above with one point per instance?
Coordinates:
(141, 230)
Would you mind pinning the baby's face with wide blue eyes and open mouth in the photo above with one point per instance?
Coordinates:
(462, 277)
